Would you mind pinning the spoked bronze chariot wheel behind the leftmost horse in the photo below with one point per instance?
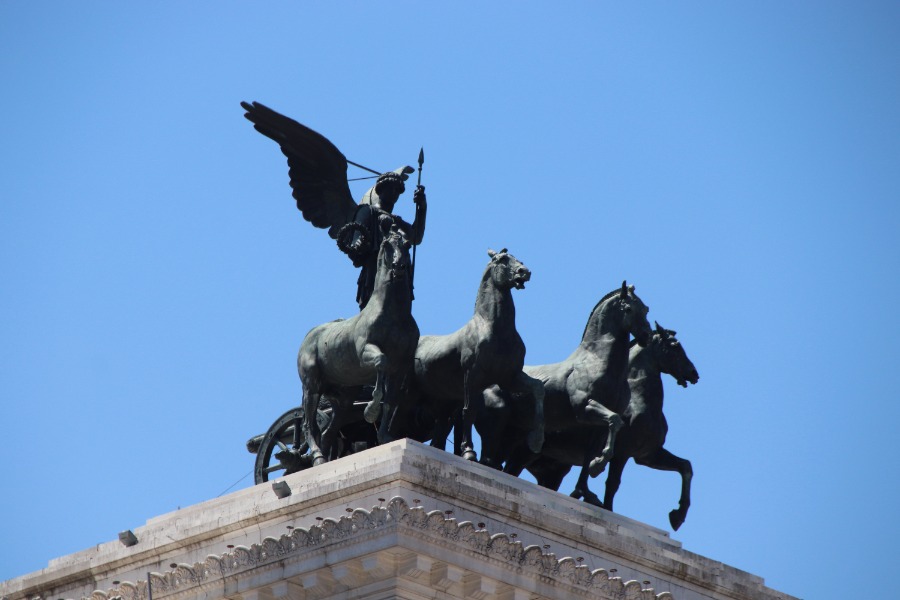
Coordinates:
(283, 449)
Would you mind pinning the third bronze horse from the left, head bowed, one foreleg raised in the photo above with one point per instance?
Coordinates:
(583, 394)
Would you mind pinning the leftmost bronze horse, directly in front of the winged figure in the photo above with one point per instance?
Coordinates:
(375, 346)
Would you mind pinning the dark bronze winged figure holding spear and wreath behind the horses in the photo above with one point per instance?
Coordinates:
(318, 178)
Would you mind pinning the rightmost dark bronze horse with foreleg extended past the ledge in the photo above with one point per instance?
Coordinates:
(644, 432)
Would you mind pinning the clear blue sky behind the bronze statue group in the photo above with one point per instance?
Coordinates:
(738, 163)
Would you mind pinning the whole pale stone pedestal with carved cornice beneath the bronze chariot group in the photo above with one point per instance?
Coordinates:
(398, 521)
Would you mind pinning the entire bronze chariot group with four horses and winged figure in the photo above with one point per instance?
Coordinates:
(374, 368)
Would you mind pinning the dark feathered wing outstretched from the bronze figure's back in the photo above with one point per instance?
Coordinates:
(317, 169)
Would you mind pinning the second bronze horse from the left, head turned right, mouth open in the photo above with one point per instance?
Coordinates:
(451, 371)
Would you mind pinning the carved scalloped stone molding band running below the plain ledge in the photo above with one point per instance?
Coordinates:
(361, 523)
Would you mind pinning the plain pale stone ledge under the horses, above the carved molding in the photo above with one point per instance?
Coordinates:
(507, 506)
